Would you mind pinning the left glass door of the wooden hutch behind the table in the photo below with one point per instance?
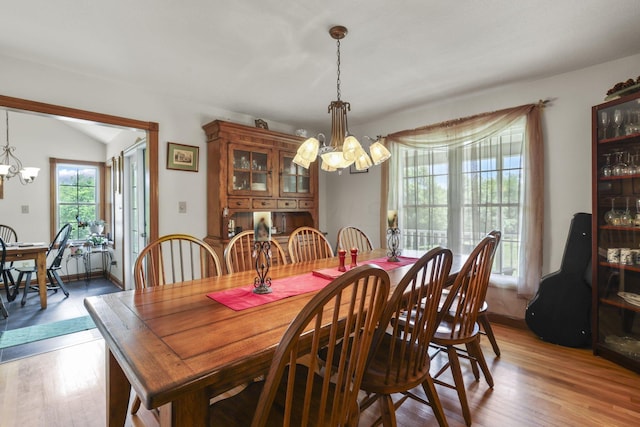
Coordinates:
(250, 171)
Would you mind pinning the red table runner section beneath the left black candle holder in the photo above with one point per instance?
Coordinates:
(242, 298)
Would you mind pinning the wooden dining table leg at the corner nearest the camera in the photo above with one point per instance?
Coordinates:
(190, 409)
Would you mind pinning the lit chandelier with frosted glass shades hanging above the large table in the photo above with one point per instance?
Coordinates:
(344, 149)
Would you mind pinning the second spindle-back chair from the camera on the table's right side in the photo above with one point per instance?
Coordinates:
(399, 359)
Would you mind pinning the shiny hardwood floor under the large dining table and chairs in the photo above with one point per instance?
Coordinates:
(536, 384)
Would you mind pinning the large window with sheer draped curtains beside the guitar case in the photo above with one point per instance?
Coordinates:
(454, 182)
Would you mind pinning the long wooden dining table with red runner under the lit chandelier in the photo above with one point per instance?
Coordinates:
(179, 345)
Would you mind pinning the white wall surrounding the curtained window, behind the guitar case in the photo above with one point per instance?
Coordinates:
(354, 199)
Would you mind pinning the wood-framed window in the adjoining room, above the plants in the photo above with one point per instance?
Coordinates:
(78, 194)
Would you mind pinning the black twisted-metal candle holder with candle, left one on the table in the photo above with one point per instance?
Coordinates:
(262, 252)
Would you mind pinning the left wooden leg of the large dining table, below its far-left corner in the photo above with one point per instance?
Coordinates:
(118, 391)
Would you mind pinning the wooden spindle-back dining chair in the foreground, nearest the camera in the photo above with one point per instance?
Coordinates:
(300, 394)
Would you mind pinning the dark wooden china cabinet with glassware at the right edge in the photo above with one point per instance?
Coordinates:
(616, 230)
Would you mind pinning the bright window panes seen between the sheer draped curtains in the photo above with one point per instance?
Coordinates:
(453, 196)
